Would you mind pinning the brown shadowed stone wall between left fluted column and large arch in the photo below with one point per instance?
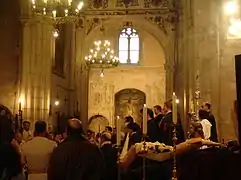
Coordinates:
(63, 85)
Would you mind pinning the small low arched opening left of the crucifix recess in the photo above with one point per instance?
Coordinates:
(97, 123)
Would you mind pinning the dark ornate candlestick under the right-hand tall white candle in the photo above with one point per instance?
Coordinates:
(174, 140)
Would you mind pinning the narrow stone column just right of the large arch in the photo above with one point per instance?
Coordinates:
(185, 65)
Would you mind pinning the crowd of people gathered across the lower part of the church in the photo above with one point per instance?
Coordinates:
(79, 155)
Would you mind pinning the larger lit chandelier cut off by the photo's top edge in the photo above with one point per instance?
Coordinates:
(59, 10)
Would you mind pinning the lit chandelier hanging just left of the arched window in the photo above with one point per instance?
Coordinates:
(102, 56)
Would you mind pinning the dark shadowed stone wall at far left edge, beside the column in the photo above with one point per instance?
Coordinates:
(10, 38)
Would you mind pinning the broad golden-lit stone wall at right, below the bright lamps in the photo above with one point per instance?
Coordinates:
(206, 61)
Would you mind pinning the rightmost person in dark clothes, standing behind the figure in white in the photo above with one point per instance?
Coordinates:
(211, 119)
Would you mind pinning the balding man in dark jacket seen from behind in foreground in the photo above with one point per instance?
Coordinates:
(75, 158)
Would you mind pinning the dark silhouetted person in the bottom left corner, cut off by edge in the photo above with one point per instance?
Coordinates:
(10, 156)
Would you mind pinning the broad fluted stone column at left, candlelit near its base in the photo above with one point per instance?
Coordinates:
(36, 72)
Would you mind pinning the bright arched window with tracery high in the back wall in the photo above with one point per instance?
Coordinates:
(129, 46)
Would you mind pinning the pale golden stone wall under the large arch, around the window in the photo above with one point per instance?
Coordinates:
(148, 76)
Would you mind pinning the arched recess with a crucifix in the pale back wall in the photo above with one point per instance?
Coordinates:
(129, 102)
